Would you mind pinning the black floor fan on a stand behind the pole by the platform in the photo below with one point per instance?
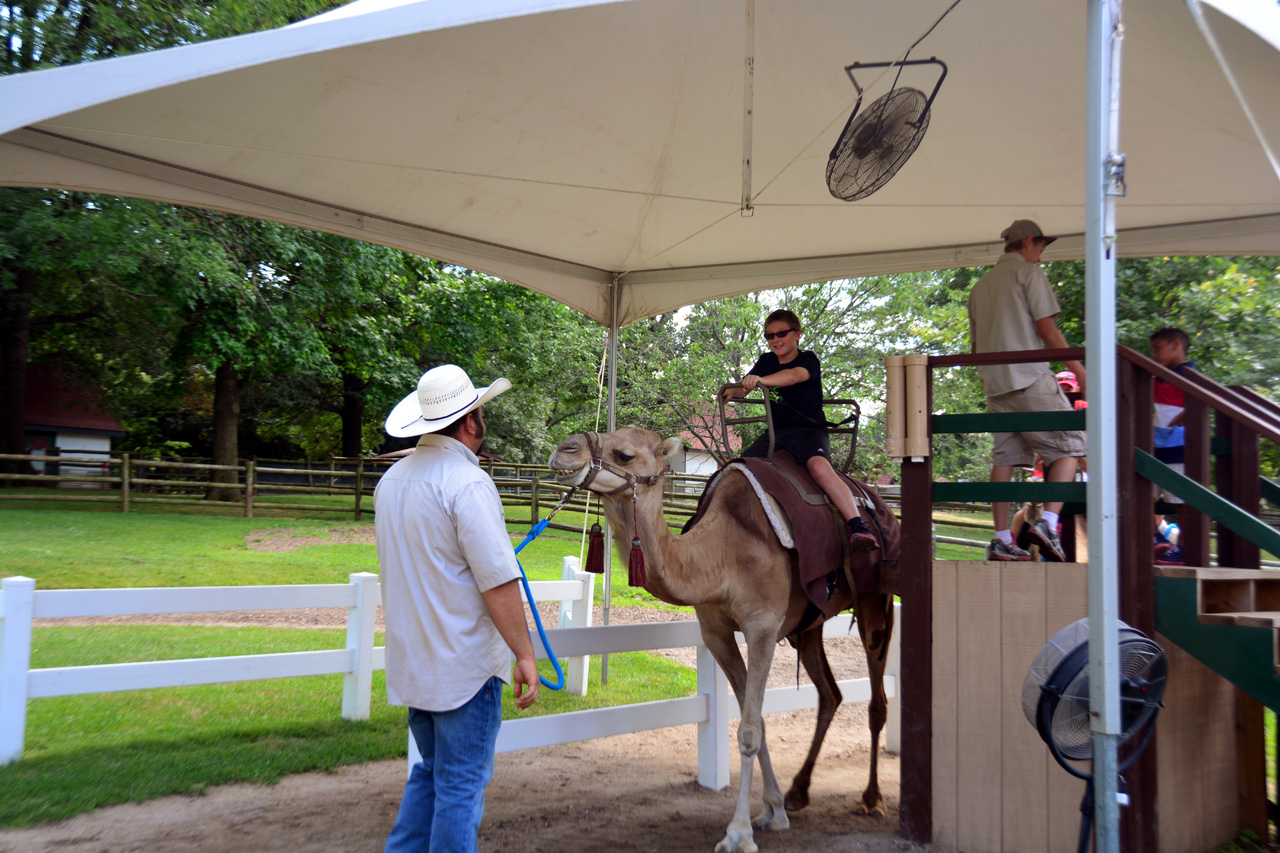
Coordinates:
(1057, 701)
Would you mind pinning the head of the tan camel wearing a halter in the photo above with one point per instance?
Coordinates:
(619, 457)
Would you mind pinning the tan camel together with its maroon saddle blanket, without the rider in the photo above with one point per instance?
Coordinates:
(739, 568)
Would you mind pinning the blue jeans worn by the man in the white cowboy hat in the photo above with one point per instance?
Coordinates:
(445, 795)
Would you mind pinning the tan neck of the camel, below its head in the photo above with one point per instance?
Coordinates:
(671, 574)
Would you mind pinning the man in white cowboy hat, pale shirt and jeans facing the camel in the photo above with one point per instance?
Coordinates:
(452, 608)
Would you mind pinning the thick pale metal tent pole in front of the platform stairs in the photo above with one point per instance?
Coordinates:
(1104, 176)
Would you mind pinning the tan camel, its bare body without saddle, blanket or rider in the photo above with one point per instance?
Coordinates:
(738, 577)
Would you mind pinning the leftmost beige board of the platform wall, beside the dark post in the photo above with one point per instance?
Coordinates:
(945, 697)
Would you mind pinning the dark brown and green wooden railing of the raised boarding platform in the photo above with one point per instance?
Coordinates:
(1224, 427)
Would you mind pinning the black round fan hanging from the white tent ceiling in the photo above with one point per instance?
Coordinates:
(876, 144)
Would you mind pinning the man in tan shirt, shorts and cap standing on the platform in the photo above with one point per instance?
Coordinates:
(1012, 309)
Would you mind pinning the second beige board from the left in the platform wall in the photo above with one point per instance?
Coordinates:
(979, 710)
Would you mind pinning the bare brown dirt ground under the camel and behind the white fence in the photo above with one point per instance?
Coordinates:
(636, 792)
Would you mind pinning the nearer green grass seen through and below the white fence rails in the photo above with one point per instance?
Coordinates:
(90, 751)
